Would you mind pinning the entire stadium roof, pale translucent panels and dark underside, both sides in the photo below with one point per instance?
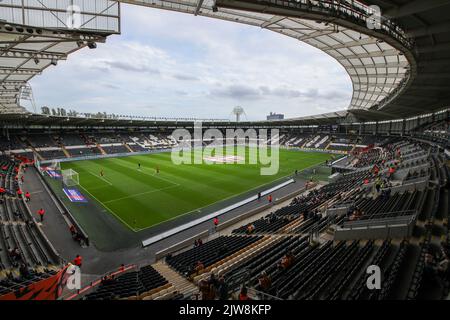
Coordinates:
(399, 67)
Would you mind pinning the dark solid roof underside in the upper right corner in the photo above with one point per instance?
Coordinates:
(428, 23)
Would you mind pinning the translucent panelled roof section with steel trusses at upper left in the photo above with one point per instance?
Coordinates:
(38, 35)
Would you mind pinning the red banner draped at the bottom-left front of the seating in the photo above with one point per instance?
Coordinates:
(47, 289)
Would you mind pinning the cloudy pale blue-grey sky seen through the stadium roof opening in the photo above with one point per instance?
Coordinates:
(176, 65)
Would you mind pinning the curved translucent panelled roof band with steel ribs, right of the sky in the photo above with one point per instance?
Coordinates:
(380, 61)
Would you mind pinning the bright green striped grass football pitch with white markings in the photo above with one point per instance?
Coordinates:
(143, 198)
